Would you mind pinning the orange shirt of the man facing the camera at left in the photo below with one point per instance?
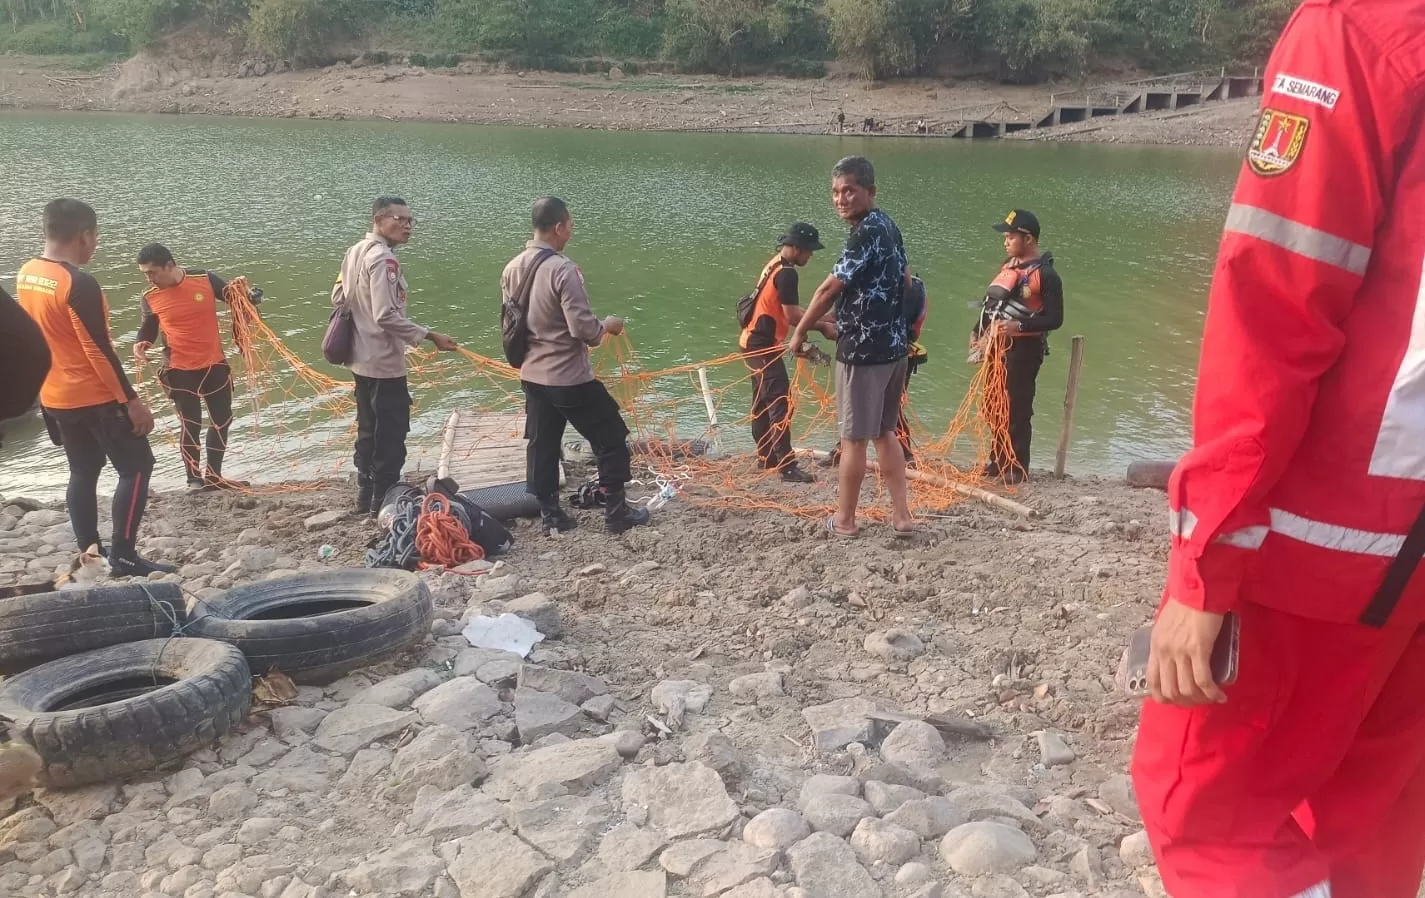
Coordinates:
(187, 314)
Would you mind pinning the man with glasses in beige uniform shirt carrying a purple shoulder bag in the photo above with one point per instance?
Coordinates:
(373, 287)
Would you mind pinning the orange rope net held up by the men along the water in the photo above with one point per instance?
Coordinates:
(692, 423)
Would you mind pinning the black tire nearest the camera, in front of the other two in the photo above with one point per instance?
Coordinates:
(212, 695)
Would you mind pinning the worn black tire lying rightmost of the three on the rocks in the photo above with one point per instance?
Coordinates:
(321, 648)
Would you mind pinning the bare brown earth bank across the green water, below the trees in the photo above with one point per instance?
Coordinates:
(608, 102)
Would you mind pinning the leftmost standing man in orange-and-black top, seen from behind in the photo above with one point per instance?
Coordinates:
(88, 400)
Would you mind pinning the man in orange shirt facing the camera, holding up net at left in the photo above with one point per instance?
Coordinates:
(183, 303)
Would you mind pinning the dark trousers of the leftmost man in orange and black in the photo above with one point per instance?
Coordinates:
(90, 437)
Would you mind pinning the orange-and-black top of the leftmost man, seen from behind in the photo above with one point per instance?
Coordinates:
(73, 316)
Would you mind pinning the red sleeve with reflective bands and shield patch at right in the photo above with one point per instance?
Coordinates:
(1319, 177)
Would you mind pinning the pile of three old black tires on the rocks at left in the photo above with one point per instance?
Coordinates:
(112, 681)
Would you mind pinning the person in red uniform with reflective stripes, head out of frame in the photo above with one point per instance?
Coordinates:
(1300, 507)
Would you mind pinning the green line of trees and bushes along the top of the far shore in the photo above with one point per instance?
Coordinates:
(1014, 41)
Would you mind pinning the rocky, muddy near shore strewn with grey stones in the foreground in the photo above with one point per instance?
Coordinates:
(727, 705)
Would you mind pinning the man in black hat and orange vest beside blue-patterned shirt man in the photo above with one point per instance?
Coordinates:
(776, 310)
